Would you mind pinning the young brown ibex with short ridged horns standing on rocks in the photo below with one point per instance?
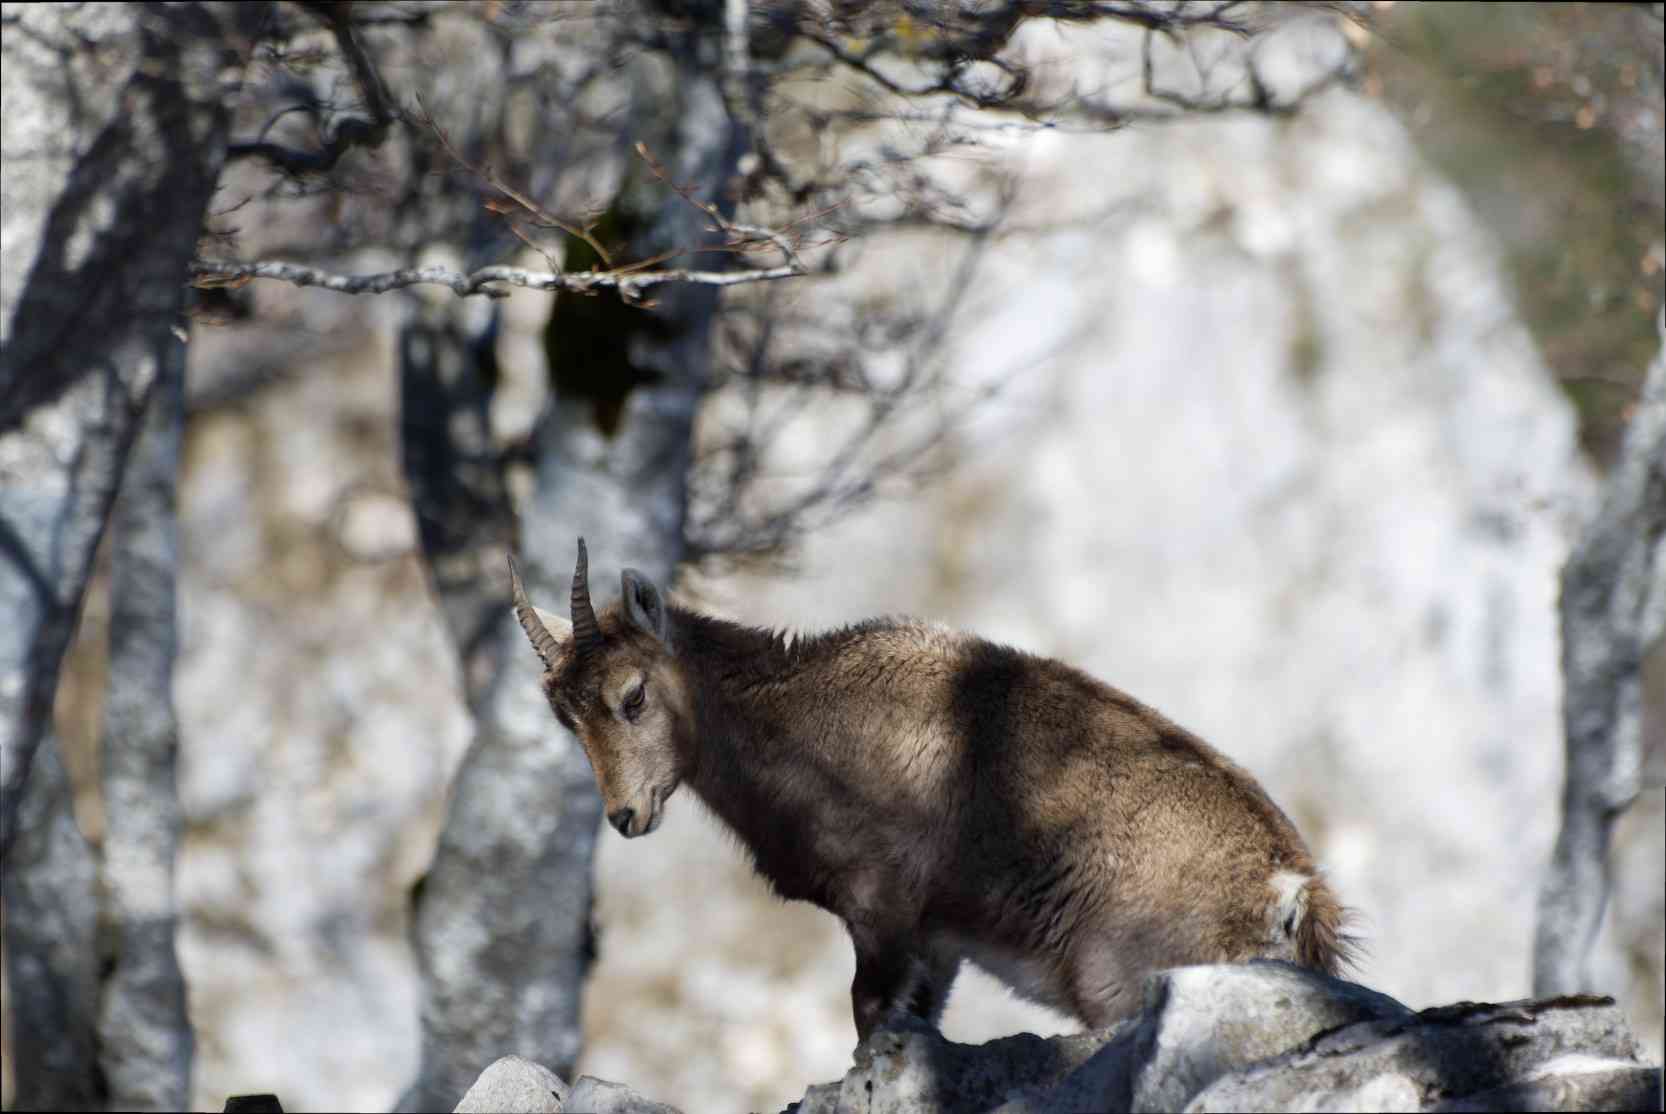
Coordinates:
(944, 797)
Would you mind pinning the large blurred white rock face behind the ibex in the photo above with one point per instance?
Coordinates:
(1302, 482)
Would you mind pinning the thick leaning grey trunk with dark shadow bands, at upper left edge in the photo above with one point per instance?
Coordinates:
(114, 139)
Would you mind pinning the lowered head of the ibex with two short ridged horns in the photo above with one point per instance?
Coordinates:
(616, 684)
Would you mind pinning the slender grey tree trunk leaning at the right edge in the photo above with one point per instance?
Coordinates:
(1614, 609)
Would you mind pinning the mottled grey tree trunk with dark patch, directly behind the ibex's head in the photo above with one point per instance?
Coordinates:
(502, 920)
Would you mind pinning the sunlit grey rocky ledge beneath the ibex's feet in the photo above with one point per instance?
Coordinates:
(1264, 1037)
